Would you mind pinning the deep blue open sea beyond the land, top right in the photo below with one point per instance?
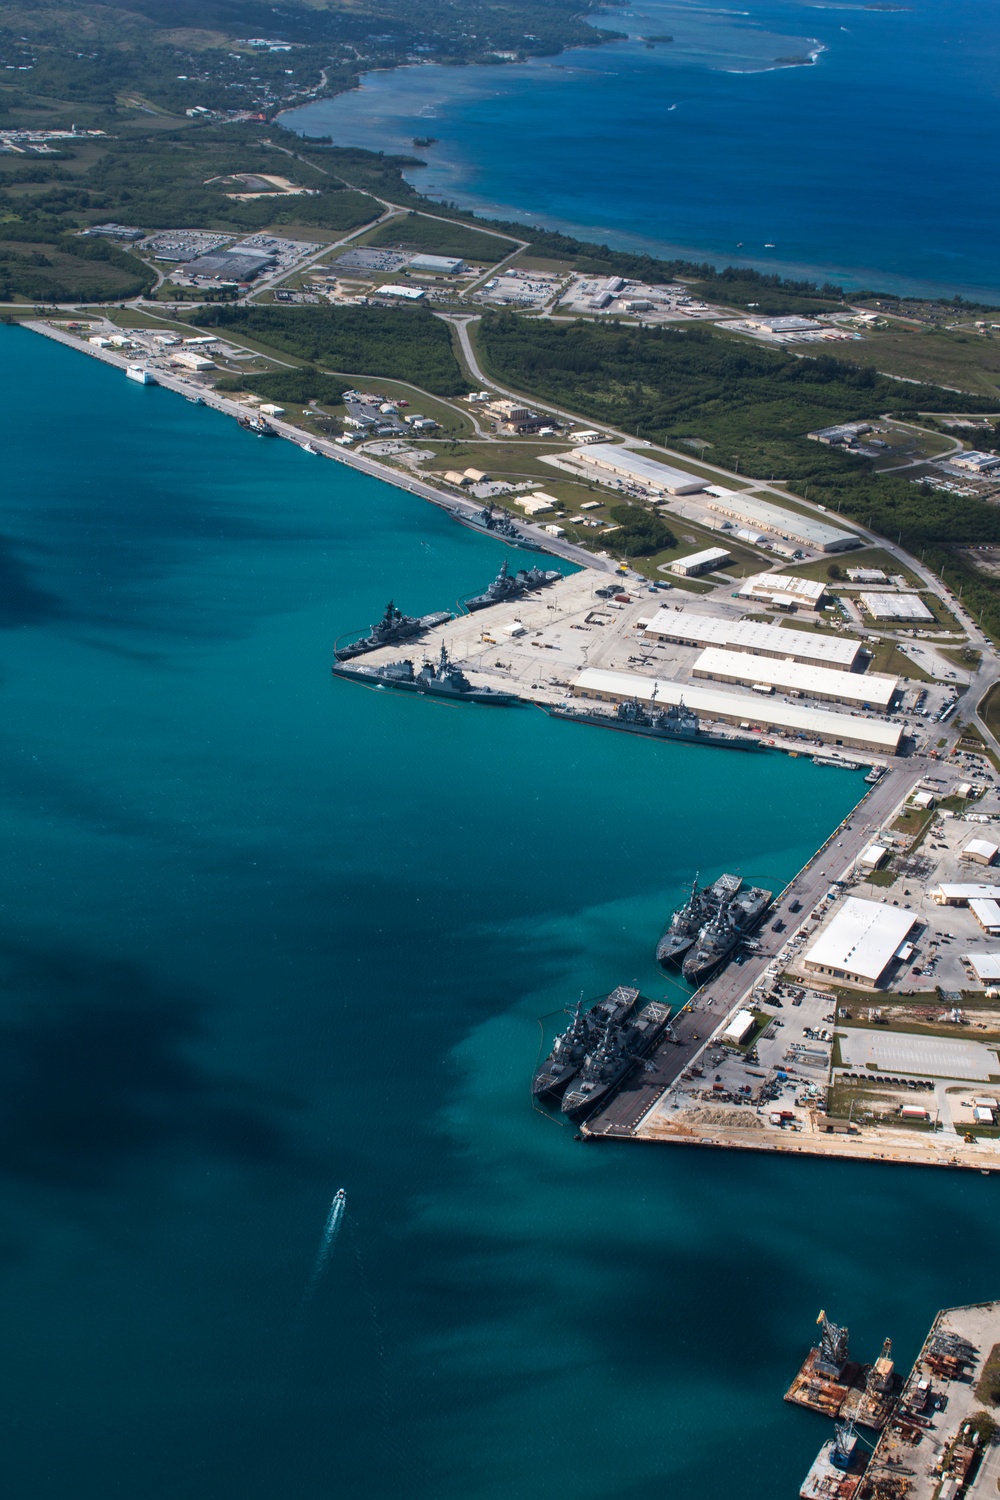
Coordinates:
(872, 167)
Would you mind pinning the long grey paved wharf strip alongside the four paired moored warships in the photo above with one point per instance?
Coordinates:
(722, 995)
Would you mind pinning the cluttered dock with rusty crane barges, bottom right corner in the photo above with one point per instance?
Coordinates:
(930, 1436)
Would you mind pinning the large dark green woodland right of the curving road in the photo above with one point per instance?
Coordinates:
(749, 409)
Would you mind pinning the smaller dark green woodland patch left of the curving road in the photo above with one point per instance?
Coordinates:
(409, 343)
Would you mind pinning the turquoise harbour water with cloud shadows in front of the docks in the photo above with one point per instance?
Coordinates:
(265, 935)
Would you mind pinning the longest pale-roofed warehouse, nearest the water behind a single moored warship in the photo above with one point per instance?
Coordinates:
(791, 721)
